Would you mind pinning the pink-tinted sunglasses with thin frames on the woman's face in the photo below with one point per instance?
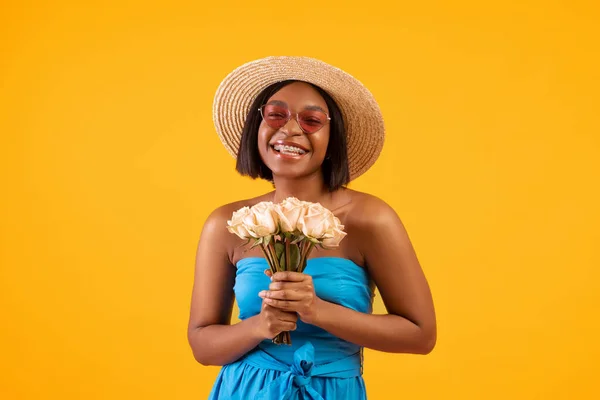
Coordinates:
(277, 116)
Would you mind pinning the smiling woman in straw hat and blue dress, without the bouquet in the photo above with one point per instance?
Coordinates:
(309, 128)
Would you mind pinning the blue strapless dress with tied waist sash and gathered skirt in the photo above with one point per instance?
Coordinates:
(317, 365)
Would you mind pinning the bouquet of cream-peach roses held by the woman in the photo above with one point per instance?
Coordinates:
(286, 233)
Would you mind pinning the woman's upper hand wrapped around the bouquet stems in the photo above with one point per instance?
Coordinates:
(293, 291)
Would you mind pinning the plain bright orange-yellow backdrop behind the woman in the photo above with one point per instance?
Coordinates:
(110, 165)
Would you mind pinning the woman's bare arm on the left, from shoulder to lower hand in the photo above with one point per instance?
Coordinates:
(212, 339)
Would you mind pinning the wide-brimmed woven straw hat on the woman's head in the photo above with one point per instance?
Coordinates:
(361, 113)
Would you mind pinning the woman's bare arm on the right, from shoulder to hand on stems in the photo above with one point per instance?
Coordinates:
(409, 326)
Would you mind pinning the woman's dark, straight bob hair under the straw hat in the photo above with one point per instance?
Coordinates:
(336, 172)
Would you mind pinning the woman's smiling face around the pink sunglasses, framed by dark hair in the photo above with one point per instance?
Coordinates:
(297, 97)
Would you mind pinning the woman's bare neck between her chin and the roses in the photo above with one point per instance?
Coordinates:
(311, 188)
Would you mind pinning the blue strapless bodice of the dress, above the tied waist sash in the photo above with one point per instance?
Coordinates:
(336, 280)
